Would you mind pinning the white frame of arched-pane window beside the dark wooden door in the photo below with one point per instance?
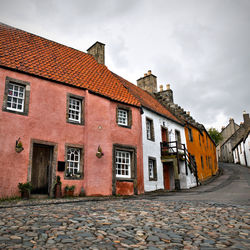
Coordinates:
(74, 163)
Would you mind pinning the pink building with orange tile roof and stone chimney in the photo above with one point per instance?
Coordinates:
(73, 117)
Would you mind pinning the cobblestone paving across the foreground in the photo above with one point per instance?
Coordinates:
(122, 224)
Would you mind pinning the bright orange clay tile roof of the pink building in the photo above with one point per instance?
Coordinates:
(25, 52)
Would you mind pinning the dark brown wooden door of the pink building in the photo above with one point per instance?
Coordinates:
(41, 169)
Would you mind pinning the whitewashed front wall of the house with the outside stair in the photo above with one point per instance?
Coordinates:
(152, 149)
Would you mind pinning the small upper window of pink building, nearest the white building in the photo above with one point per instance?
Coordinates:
(124, 116)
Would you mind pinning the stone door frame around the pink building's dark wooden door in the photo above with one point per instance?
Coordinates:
(54, 147)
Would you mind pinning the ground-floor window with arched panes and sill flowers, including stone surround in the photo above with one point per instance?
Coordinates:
(74, 162)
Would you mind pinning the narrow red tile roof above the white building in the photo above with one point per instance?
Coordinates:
(147, 100)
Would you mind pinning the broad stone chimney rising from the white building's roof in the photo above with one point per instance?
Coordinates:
(148, 82)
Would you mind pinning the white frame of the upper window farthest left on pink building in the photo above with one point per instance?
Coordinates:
(16, 89)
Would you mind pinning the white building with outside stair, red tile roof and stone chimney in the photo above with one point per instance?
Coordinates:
(161, 171)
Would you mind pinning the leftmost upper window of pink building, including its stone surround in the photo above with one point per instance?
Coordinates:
(16, 96)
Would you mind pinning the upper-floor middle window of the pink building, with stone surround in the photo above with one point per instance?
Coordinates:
(75, 108)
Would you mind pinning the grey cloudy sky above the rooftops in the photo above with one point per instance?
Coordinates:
(202, 48)
